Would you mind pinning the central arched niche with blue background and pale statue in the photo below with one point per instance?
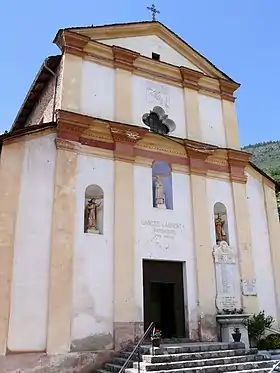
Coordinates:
(162, 185)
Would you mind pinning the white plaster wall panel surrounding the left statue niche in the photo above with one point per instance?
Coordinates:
(92, 313)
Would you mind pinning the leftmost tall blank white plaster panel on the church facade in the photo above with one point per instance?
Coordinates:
(30, 281)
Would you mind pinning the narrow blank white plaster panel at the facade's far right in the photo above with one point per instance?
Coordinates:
(261, 247)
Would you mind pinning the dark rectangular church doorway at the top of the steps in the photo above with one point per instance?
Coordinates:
(164, 297)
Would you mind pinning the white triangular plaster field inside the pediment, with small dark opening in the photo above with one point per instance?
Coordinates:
(146, 45)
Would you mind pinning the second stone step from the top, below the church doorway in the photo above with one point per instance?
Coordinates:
(197, 355)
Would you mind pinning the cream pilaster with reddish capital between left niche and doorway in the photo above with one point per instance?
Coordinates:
(126, 328)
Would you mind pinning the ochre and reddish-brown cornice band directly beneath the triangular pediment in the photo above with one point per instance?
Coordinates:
(118, 57)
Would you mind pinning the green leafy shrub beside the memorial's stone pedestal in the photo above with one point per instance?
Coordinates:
(257, 324)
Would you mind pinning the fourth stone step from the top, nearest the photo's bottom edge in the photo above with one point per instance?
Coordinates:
(231, 367)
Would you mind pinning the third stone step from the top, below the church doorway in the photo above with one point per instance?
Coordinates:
(199, 363)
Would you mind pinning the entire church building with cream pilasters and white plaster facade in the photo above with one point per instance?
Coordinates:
(126, 199)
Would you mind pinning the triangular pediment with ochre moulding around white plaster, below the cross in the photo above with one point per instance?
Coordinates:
(145, 37)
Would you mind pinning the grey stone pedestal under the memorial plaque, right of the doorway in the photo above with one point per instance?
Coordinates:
(228, 323)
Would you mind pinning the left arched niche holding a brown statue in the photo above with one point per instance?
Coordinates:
(94, 209)
